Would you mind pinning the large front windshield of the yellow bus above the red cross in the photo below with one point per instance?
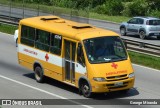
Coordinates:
(105, 49)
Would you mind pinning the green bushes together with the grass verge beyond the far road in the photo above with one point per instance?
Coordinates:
(111, 10)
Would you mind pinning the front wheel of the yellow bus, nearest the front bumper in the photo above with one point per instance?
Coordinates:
(86, 90)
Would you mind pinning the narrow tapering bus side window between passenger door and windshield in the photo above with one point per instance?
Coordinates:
(80, 55)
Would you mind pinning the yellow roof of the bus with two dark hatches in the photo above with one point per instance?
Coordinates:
(67, 28)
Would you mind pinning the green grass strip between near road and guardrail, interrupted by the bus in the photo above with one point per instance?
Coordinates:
(137, 58)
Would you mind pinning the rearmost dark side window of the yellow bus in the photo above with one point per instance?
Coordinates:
(27, 35)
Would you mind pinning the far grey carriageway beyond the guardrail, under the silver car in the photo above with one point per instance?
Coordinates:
(18, 12)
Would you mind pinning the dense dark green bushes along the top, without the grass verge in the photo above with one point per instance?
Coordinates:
(107, 7)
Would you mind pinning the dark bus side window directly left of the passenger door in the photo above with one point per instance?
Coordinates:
(56, 43)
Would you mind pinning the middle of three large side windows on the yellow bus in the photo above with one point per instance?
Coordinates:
(42, 40)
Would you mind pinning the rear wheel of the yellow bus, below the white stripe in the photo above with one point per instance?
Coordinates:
(38, 72)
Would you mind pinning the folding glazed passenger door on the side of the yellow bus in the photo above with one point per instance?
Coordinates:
(69, 61)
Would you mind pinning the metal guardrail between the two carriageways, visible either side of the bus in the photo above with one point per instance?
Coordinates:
(137, 46)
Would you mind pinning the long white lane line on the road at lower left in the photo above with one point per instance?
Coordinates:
(41, 90)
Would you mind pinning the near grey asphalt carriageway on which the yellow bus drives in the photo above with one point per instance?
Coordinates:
(16, 82)
